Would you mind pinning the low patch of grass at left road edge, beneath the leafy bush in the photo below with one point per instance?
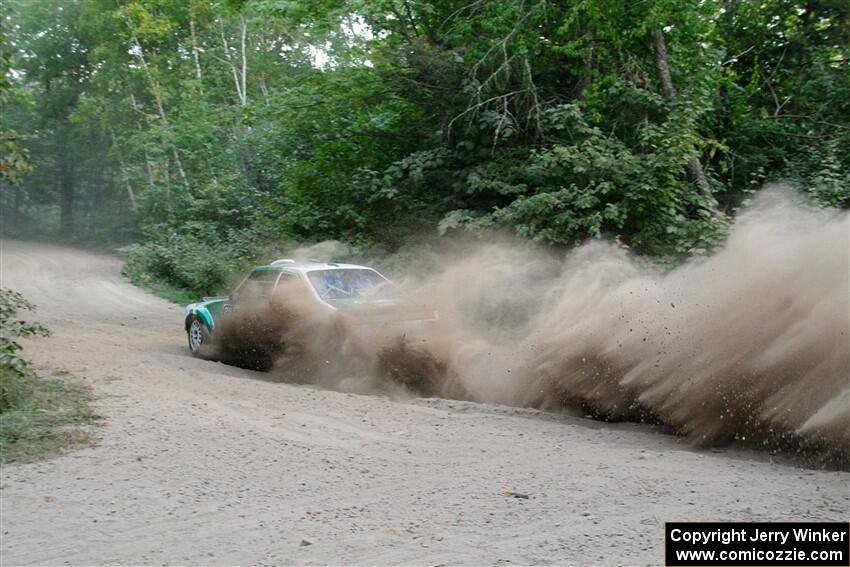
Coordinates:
(41, 415)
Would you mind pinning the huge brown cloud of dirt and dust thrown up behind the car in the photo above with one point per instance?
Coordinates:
(751, 343)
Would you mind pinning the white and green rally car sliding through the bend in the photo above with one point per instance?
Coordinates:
(360, 294)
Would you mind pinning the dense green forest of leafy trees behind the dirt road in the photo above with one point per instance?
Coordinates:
(202, 136)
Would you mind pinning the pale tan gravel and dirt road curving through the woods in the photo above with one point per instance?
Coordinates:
(201, 463)
